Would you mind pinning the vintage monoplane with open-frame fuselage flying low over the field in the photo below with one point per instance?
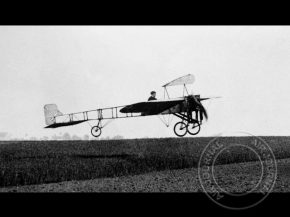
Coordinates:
(188, 108)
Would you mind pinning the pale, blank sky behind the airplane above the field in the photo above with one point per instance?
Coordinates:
(88, 67)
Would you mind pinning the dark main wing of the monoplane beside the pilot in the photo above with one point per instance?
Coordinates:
(153, 107)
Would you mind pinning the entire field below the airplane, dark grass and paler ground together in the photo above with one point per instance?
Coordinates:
(117, 161)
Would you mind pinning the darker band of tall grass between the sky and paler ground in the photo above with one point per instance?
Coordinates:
(36, 162)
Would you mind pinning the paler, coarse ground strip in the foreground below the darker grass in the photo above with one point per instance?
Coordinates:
(239, 177)
